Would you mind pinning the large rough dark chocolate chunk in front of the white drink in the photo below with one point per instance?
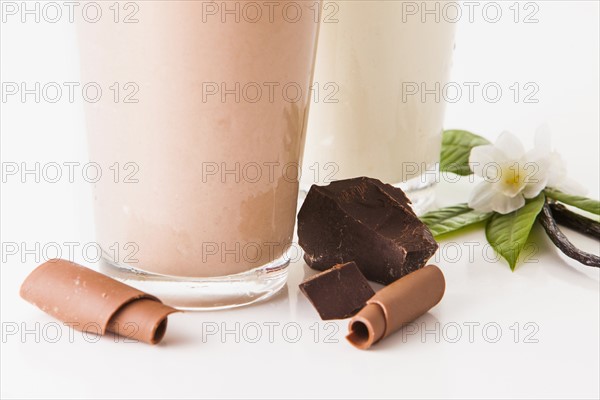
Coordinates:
(365, 221)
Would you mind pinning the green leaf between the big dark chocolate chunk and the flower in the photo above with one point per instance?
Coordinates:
(450, 219)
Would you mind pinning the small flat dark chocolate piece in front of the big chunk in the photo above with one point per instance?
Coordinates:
(339, 292)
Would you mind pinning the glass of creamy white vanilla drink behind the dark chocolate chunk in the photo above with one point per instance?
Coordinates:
(380, 69)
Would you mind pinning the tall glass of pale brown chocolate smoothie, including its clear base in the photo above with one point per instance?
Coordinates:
(199, 135)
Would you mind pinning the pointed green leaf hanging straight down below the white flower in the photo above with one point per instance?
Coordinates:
(508, 233)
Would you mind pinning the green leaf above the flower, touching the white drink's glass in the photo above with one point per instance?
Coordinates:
(456, 148)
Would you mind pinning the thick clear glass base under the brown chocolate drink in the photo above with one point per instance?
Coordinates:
(213, 293)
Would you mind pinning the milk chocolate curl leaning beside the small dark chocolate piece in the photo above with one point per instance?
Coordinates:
(396, 305)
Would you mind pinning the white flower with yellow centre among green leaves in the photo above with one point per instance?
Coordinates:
(512, 175)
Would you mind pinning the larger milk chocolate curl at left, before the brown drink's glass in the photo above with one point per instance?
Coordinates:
(92, 302)
